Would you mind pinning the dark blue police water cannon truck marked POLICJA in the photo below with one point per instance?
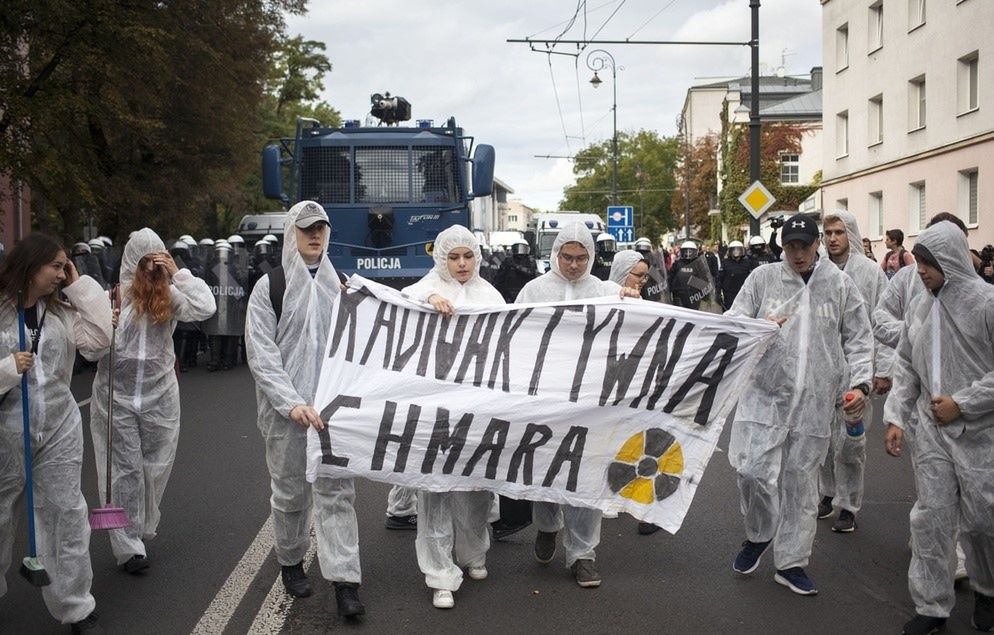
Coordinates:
(388, 190)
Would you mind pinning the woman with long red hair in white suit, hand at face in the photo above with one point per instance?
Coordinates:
(155, 294)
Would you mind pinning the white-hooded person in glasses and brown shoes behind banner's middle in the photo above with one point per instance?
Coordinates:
(569, 278)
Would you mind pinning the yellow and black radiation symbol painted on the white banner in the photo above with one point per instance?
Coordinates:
(647, 468)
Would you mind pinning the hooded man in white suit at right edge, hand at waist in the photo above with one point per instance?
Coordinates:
(944, 374)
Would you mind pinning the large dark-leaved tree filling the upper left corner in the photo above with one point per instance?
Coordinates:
(134, 113)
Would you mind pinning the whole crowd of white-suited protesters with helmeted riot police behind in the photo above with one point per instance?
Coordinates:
(917, 327)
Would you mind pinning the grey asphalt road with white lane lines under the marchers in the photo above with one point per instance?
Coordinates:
(210, 565)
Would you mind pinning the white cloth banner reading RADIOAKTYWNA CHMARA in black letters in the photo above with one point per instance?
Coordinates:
(605, 403)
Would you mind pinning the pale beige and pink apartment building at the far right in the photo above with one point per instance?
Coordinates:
(909, 114)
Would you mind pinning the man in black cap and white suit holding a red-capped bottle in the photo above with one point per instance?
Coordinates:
(782, 425)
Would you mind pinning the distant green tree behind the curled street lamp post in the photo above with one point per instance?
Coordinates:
(645, 180)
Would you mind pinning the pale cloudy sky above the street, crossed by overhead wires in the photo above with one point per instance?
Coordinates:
(451, 58)
